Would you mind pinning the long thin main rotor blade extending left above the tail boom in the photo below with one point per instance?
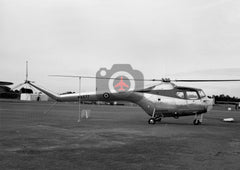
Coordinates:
(107, 78)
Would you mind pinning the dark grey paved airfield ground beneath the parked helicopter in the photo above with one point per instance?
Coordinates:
(114, 137)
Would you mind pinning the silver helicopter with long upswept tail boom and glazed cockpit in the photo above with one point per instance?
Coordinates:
(165, 99)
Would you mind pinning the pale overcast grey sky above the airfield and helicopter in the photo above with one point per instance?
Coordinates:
(176, 39)
